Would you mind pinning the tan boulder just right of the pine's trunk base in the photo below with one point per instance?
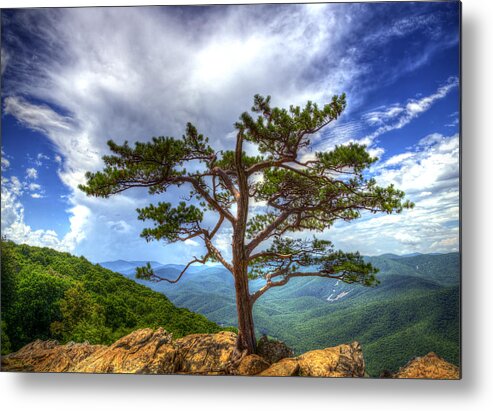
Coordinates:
(345, 360)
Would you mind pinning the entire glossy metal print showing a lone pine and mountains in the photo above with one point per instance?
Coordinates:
(242, 190)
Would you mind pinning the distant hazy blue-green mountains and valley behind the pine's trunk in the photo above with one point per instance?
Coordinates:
(413, 311)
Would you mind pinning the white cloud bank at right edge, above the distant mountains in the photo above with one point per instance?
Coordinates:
(429, 175)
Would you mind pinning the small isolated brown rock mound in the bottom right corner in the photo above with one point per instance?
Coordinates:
(430, 366)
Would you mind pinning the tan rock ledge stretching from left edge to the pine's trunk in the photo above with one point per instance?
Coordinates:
(142, 352)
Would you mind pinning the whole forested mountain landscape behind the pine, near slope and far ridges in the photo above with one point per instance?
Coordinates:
(415, 309)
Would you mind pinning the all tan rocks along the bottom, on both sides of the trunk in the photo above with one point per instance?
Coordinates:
(150, 351)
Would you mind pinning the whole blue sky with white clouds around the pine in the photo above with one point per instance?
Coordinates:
(74, 78)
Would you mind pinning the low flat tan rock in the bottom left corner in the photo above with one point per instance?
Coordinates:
(48, 356)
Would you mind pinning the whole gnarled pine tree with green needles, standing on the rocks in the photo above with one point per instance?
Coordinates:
(299, 191)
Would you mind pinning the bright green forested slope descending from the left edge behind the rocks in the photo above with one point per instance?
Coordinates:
(51, 295)
